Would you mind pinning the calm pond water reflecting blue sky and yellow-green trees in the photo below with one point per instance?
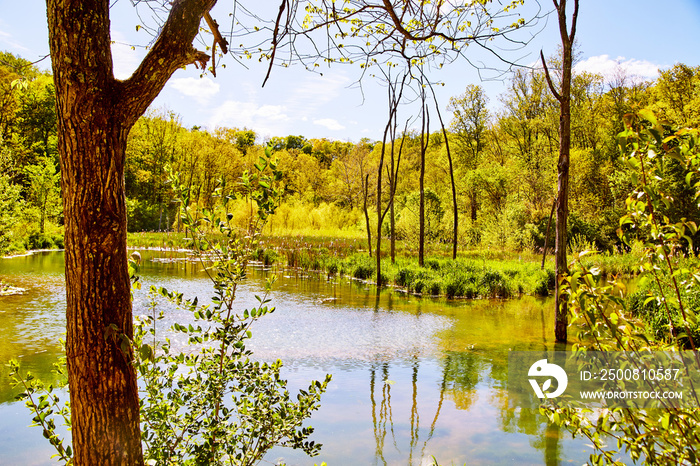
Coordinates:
(412, 377)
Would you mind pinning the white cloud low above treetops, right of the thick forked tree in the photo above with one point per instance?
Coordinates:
(265, 120)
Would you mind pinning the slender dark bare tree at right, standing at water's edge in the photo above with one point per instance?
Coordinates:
(564, 98)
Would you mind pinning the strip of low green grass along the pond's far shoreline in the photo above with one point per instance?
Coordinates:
(476, 273)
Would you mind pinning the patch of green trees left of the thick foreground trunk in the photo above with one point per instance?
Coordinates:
(30, 202)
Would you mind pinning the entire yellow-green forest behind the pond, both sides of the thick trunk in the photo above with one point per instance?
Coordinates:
(504, 166)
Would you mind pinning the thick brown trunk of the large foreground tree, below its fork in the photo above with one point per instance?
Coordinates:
(104, 394)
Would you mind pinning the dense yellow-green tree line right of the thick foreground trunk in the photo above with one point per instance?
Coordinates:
(505, 166)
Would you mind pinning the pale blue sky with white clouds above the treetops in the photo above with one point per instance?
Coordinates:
(639, 36)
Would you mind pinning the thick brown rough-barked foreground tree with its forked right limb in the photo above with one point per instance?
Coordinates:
(95, 113)
